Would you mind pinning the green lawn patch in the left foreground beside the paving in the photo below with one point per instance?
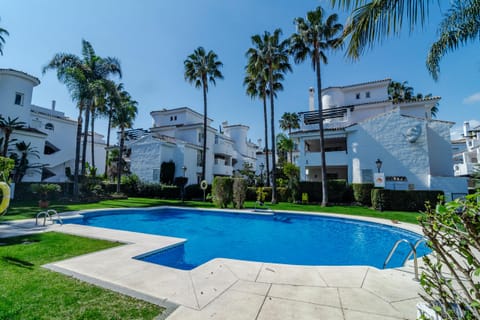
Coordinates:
(28, 291)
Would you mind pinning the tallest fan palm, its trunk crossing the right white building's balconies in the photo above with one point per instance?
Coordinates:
(314, 36)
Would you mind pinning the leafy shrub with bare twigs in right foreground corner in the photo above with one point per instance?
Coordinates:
(451, 277)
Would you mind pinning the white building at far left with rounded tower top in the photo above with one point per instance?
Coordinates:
(48, 130)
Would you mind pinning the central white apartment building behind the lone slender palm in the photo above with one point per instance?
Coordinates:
(177, 135)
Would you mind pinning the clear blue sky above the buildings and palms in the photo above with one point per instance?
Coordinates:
(152, 39)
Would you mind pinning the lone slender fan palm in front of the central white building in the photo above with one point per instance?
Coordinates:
(202, 68)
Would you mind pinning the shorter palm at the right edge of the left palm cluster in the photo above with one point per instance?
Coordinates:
(123, 119)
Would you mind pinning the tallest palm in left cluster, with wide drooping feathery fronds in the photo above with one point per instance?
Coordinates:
(81, 76)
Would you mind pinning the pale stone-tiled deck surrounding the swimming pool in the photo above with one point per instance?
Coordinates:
(234, 289)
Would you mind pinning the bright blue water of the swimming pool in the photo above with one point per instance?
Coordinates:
(280, 238)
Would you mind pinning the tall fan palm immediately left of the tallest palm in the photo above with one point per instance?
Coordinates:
(269, 57)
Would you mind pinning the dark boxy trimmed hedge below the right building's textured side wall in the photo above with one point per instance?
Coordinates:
(403, 200)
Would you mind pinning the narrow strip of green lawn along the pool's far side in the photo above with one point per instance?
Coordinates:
(22, 210)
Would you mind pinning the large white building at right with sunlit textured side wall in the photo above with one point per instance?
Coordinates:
(362, 125)
